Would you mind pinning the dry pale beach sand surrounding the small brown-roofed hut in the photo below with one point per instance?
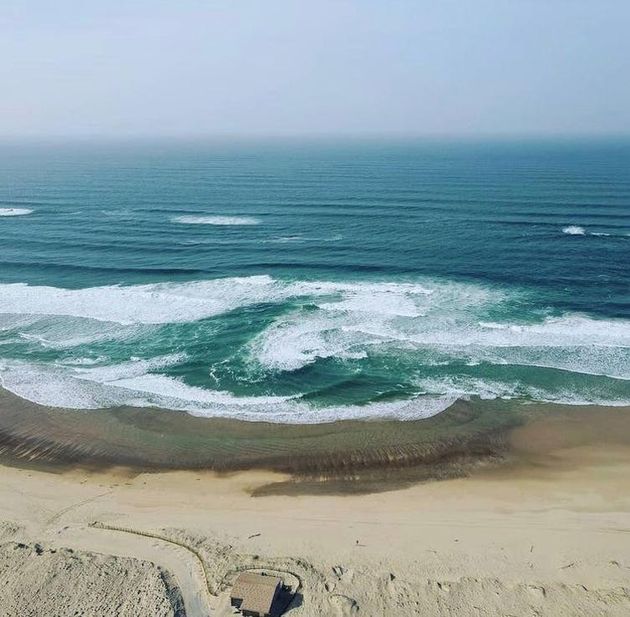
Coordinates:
(547, 536)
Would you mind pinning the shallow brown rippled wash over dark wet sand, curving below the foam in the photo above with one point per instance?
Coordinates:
(154, 439)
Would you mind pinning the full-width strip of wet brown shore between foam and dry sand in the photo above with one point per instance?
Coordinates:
(347, 456)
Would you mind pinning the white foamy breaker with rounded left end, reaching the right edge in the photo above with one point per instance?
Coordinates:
(576, 344)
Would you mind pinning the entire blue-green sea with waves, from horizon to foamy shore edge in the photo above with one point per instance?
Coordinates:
(303, 282)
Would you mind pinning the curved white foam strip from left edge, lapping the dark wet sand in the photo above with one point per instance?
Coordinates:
(91, 389)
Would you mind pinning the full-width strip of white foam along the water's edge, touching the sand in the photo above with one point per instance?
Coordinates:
(86, 389)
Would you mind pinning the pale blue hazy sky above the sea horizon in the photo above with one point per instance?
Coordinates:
(196, 67)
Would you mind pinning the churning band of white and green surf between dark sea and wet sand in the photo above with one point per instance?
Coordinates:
(440, 339)
